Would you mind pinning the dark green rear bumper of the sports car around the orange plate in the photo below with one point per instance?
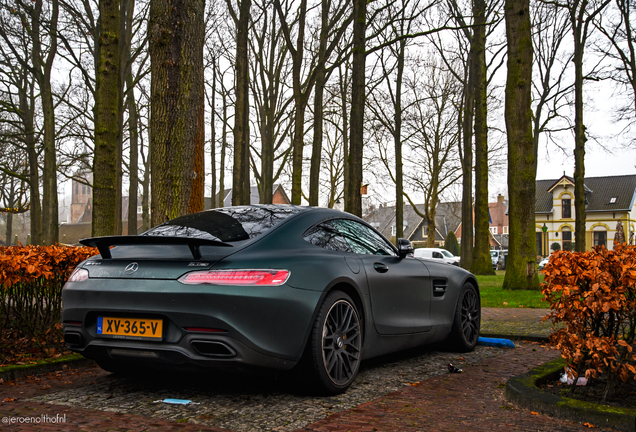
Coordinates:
(255, 327)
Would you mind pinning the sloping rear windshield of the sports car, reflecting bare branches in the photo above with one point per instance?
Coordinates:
(225, 224)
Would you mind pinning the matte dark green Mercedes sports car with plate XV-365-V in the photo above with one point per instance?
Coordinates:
(263, 286)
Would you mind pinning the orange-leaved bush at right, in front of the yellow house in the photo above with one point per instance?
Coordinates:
(593, 295)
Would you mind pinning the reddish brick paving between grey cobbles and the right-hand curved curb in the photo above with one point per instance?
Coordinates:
(469, 401)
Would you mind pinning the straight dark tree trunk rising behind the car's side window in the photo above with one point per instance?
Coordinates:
(353, 203)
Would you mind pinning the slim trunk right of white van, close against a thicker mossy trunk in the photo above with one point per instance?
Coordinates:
(467, 165)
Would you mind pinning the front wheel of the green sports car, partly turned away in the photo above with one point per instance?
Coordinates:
(467, 320)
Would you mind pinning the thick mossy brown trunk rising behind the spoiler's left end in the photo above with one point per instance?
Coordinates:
(106, 122)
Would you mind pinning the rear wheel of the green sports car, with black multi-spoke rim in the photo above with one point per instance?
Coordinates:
(335, 344)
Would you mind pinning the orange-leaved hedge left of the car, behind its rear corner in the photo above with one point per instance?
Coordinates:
(31, 280)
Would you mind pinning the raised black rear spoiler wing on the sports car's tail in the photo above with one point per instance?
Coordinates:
(104, 243)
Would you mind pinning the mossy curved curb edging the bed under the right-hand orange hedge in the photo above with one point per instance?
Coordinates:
(523, 391)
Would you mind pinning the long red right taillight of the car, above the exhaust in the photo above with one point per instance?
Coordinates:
(236, 277)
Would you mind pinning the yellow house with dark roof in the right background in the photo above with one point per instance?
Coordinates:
(607, 201)
